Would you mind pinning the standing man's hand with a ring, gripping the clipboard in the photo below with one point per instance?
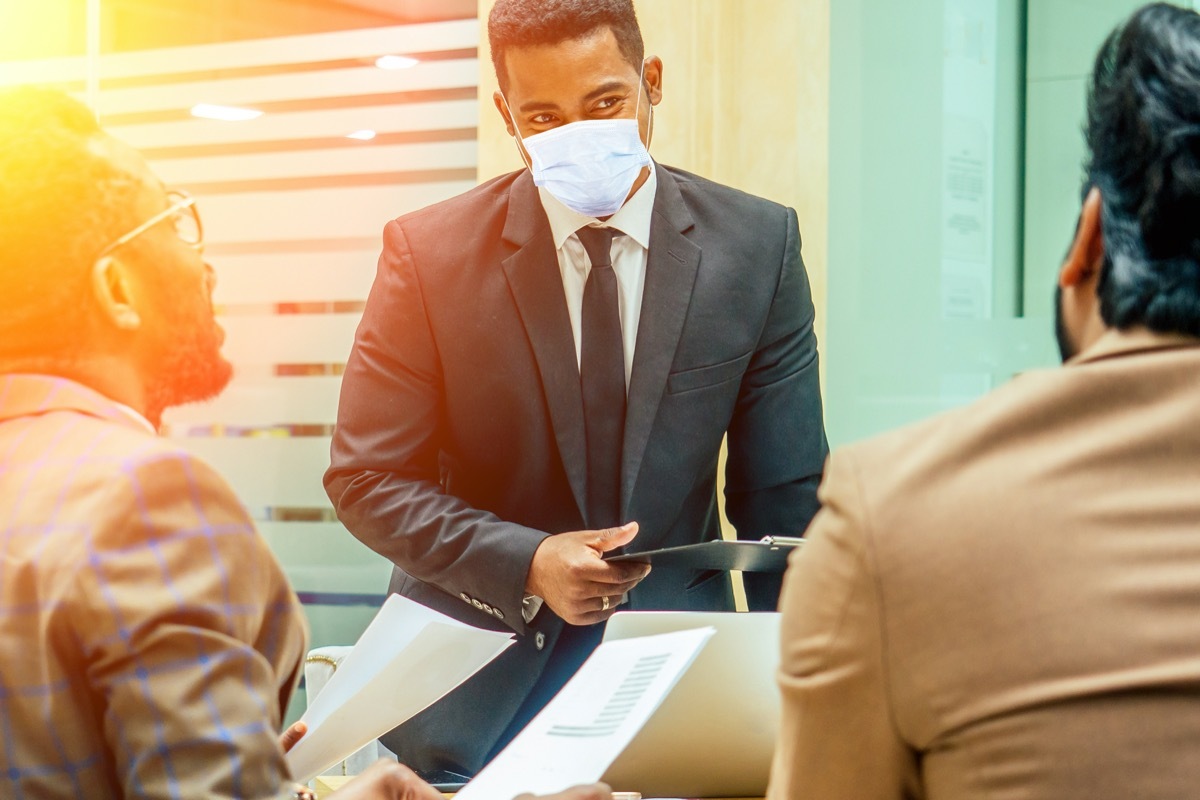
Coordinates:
(569, 574)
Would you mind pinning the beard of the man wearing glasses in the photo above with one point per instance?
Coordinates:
(189, 366)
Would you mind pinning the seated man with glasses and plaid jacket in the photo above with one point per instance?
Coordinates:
(151, 639)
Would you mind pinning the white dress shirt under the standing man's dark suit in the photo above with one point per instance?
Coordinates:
(629, 255)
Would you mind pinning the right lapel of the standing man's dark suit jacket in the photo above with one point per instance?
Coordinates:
(670, 276)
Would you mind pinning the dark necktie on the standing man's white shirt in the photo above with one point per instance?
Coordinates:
(603, 380)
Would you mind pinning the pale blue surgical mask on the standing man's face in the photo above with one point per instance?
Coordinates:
(589, 166)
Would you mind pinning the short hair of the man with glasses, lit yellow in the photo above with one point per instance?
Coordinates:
(62, 201)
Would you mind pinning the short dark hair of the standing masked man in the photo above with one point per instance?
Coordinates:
(525, 23)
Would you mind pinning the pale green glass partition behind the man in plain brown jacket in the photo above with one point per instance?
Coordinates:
(955, 169)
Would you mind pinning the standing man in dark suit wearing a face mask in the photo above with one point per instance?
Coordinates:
(548, 366)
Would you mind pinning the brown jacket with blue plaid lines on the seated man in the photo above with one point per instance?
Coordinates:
(149, 640)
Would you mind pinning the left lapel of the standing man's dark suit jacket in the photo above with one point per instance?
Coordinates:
(537, 287)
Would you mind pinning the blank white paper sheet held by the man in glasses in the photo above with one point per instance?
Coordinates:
(409, 658)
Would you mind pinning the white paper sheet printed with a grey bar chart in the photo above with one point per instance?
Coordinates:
(587, 725)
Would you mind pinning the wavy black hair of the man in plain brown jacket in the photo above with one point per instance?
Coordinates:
(1144, 155)
